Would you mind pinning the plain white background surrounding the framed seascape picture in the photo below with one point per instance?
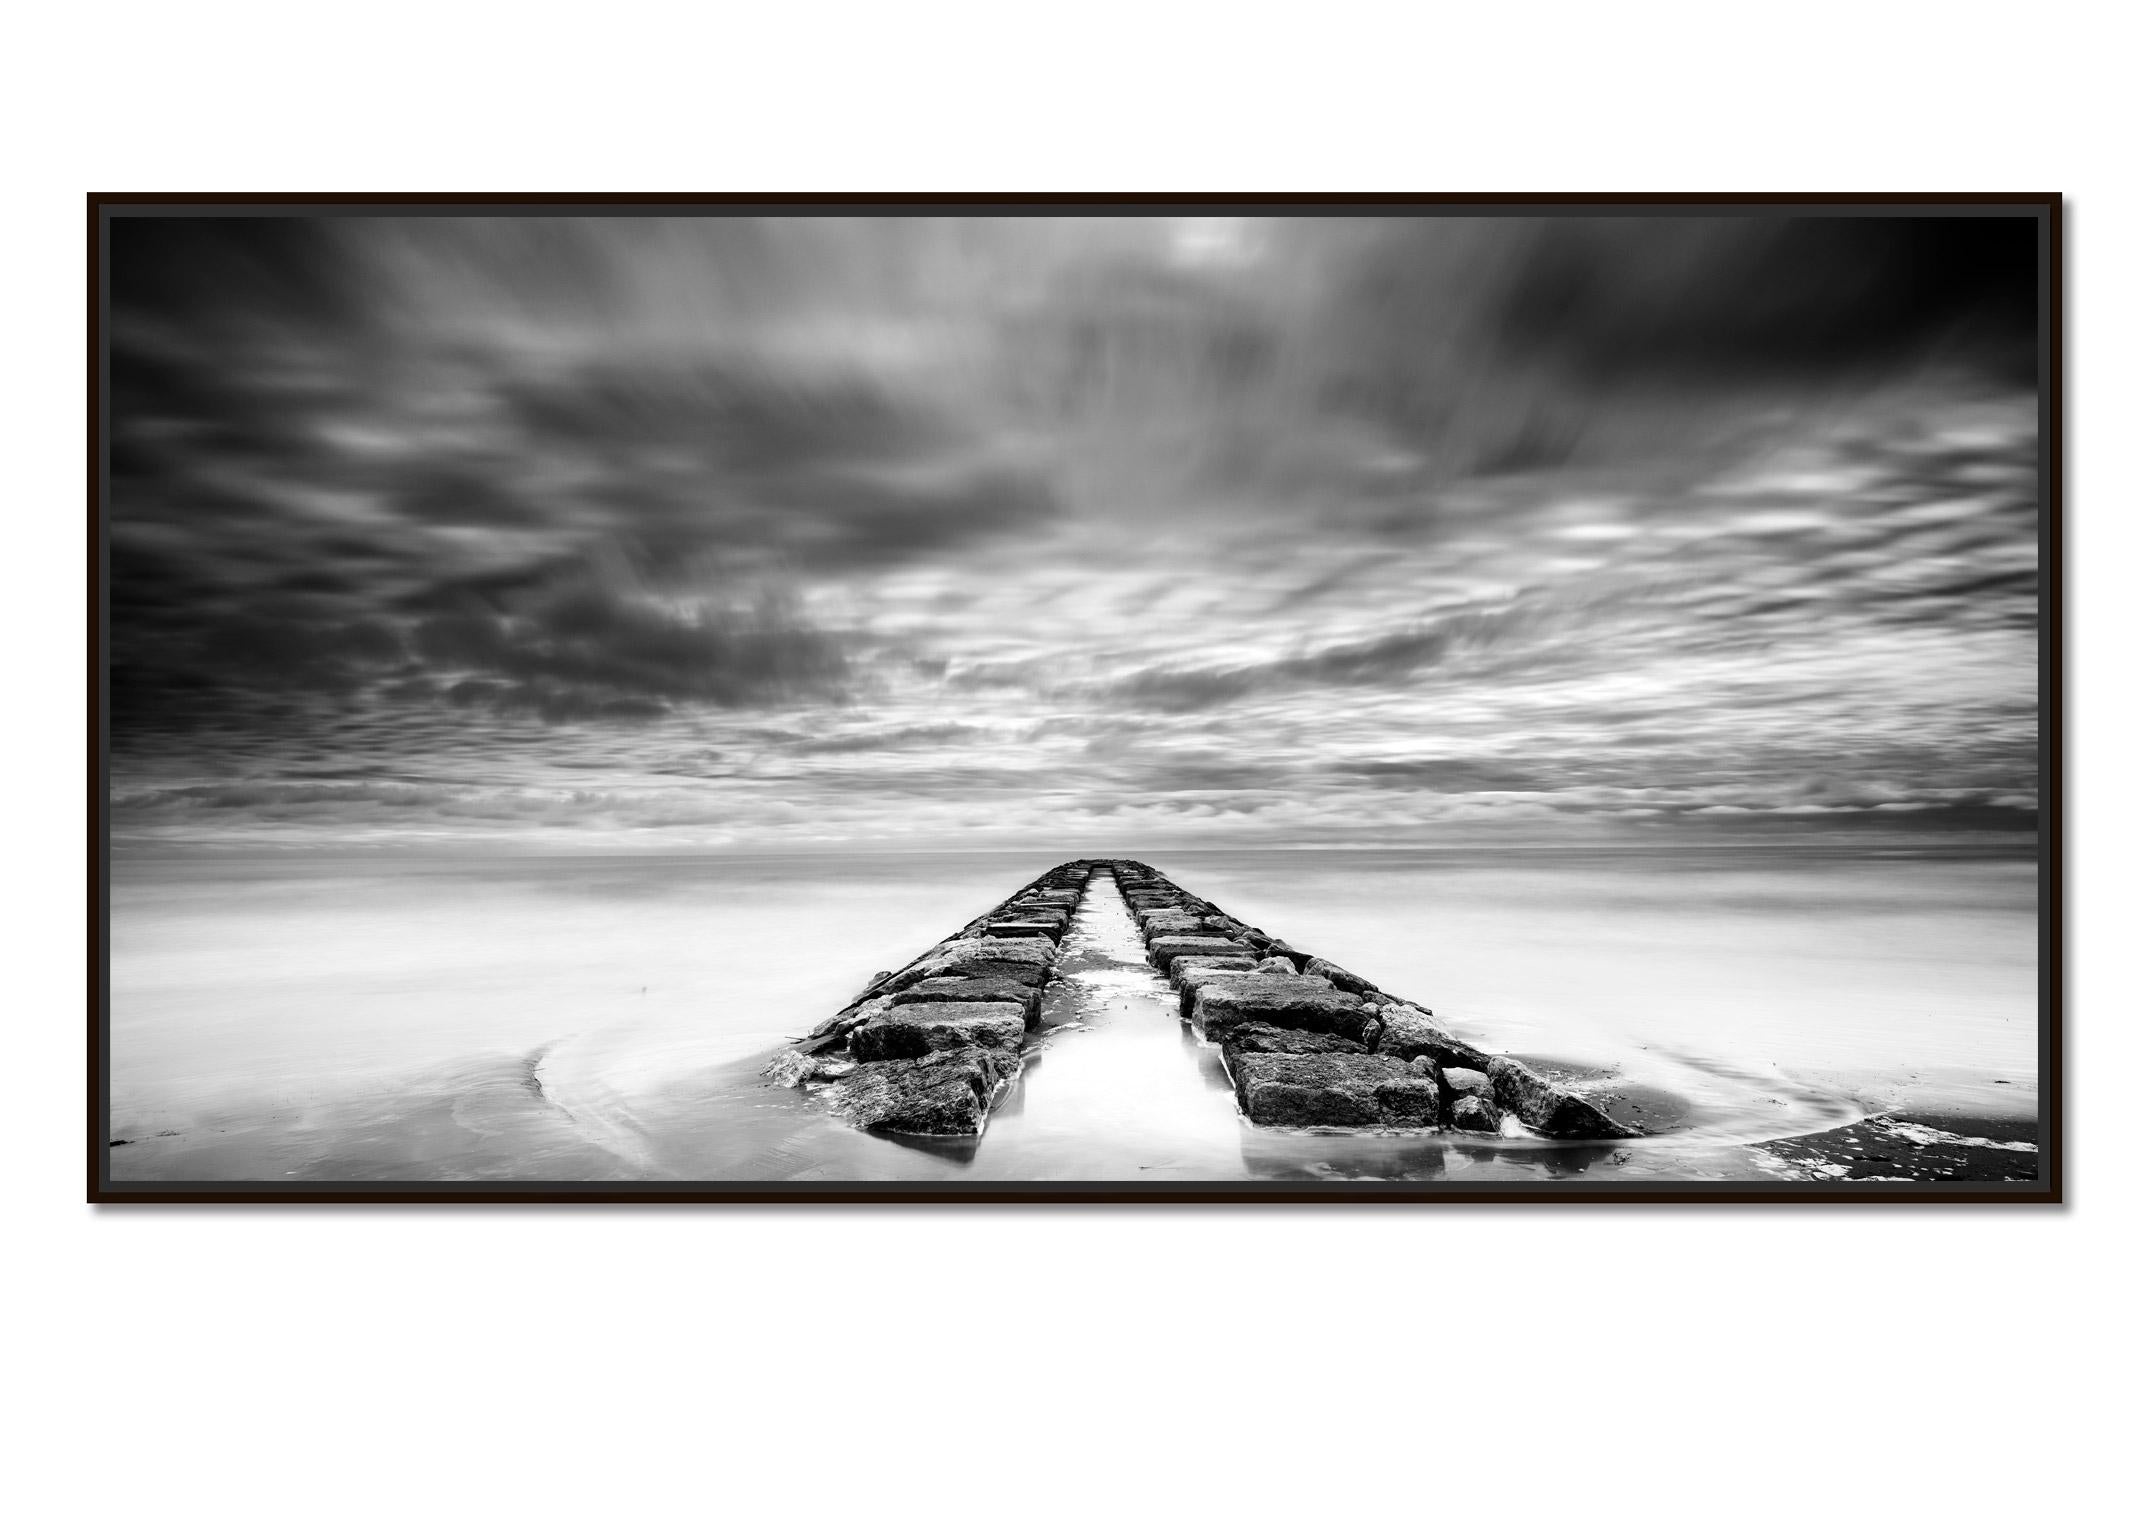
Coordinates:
(768, 1372)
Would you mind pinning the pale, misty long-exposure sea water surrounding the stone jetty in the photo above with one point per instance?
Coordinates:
(495, 1015)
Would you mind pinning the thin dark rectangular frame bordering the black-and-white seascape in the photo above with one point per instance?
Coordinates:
(2049, 813)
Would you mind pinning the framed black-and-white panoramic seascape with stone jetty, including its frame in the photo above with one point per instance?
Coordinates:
(1076, 699)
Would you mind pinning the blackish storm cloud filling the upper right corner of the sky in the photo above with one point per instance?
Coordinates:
(1520, 345)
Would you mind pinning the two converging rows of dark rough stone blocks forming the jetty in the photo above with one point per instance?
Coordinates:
(932, 1049)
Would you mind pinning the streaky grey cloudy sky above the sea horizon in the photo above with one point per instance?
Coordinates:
(1073, 529)
